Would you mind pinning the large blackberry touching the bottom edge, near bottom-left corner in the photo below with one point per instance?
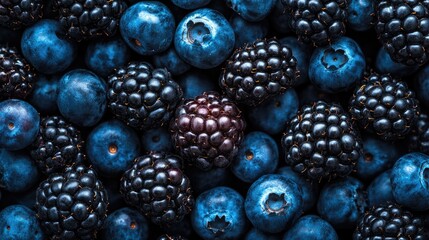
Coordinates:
(71, 205)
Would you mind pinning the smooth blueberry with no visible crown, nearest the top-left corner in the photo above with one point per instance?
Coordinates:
(44, 46)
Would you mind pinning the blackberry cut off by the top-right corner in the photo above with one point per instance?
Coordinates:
(403, 28)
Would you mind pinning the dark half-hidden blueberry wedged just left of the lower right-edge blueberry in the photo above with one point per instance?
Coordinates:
(380, 190)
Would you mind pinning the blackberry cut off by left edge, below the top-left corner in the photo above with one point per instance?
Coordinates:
(16, 75)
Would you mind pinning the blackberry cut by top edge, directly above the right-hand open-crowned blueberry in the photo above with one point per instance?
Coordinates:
(319, 22)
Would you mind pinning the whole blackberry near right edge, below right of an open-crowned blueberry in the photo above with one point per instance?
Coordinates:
(384, 105)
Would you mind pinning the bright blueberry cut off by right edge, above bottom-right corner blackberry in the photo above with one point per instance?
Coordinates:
(410, 181)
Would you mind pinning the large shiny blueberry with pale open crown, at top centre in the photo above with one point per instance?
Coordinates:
(204, 38)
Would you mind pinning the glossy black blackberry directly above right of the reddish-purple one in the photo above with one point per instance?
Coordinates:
(258, 71)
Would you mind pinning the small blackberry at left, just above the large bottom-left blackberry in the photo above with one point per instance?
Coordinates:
(58, 145)
